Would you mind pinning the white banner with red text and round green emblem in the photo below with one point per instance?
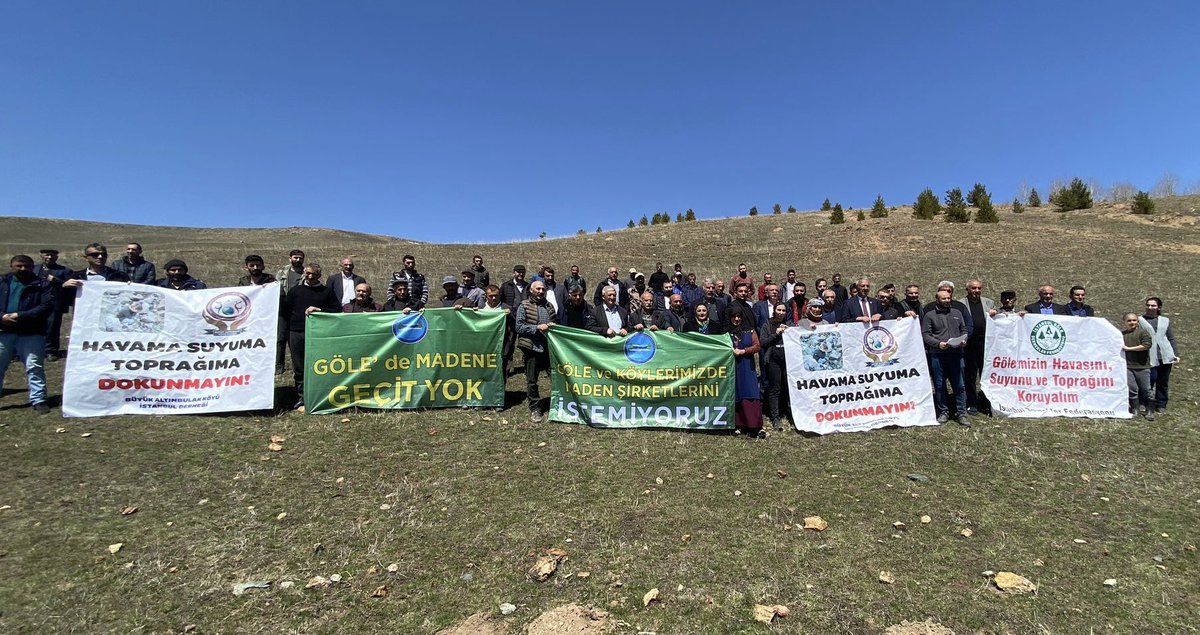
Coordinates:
(1055, 367)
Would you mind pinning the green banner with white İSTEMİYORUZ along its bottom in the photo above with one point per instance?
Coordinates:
(646, 380)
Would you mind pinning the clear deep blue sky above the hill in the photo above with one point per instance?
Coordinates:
(484, 122)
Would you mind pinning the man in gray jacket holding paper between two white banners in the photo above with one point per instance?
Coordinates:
(945, 333)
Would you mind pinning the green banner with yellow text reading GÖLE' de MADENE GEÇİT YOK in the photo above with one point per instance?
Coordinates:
(437, 358)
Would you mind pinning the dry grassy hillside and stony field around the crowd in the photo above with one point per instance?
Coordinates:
(461, 501)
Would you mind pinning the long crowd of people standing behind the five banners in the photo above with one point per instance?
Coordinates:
(754, 317)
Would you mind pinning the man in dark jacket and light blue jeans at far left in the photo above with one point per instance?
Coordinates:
(26, 303)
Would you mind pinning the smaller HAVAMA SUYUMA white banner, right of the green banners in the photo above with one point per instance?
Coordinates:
(853, 378)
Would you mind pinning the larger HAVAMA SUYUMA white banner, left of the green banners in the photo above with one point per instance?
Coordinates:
(143, 350)
